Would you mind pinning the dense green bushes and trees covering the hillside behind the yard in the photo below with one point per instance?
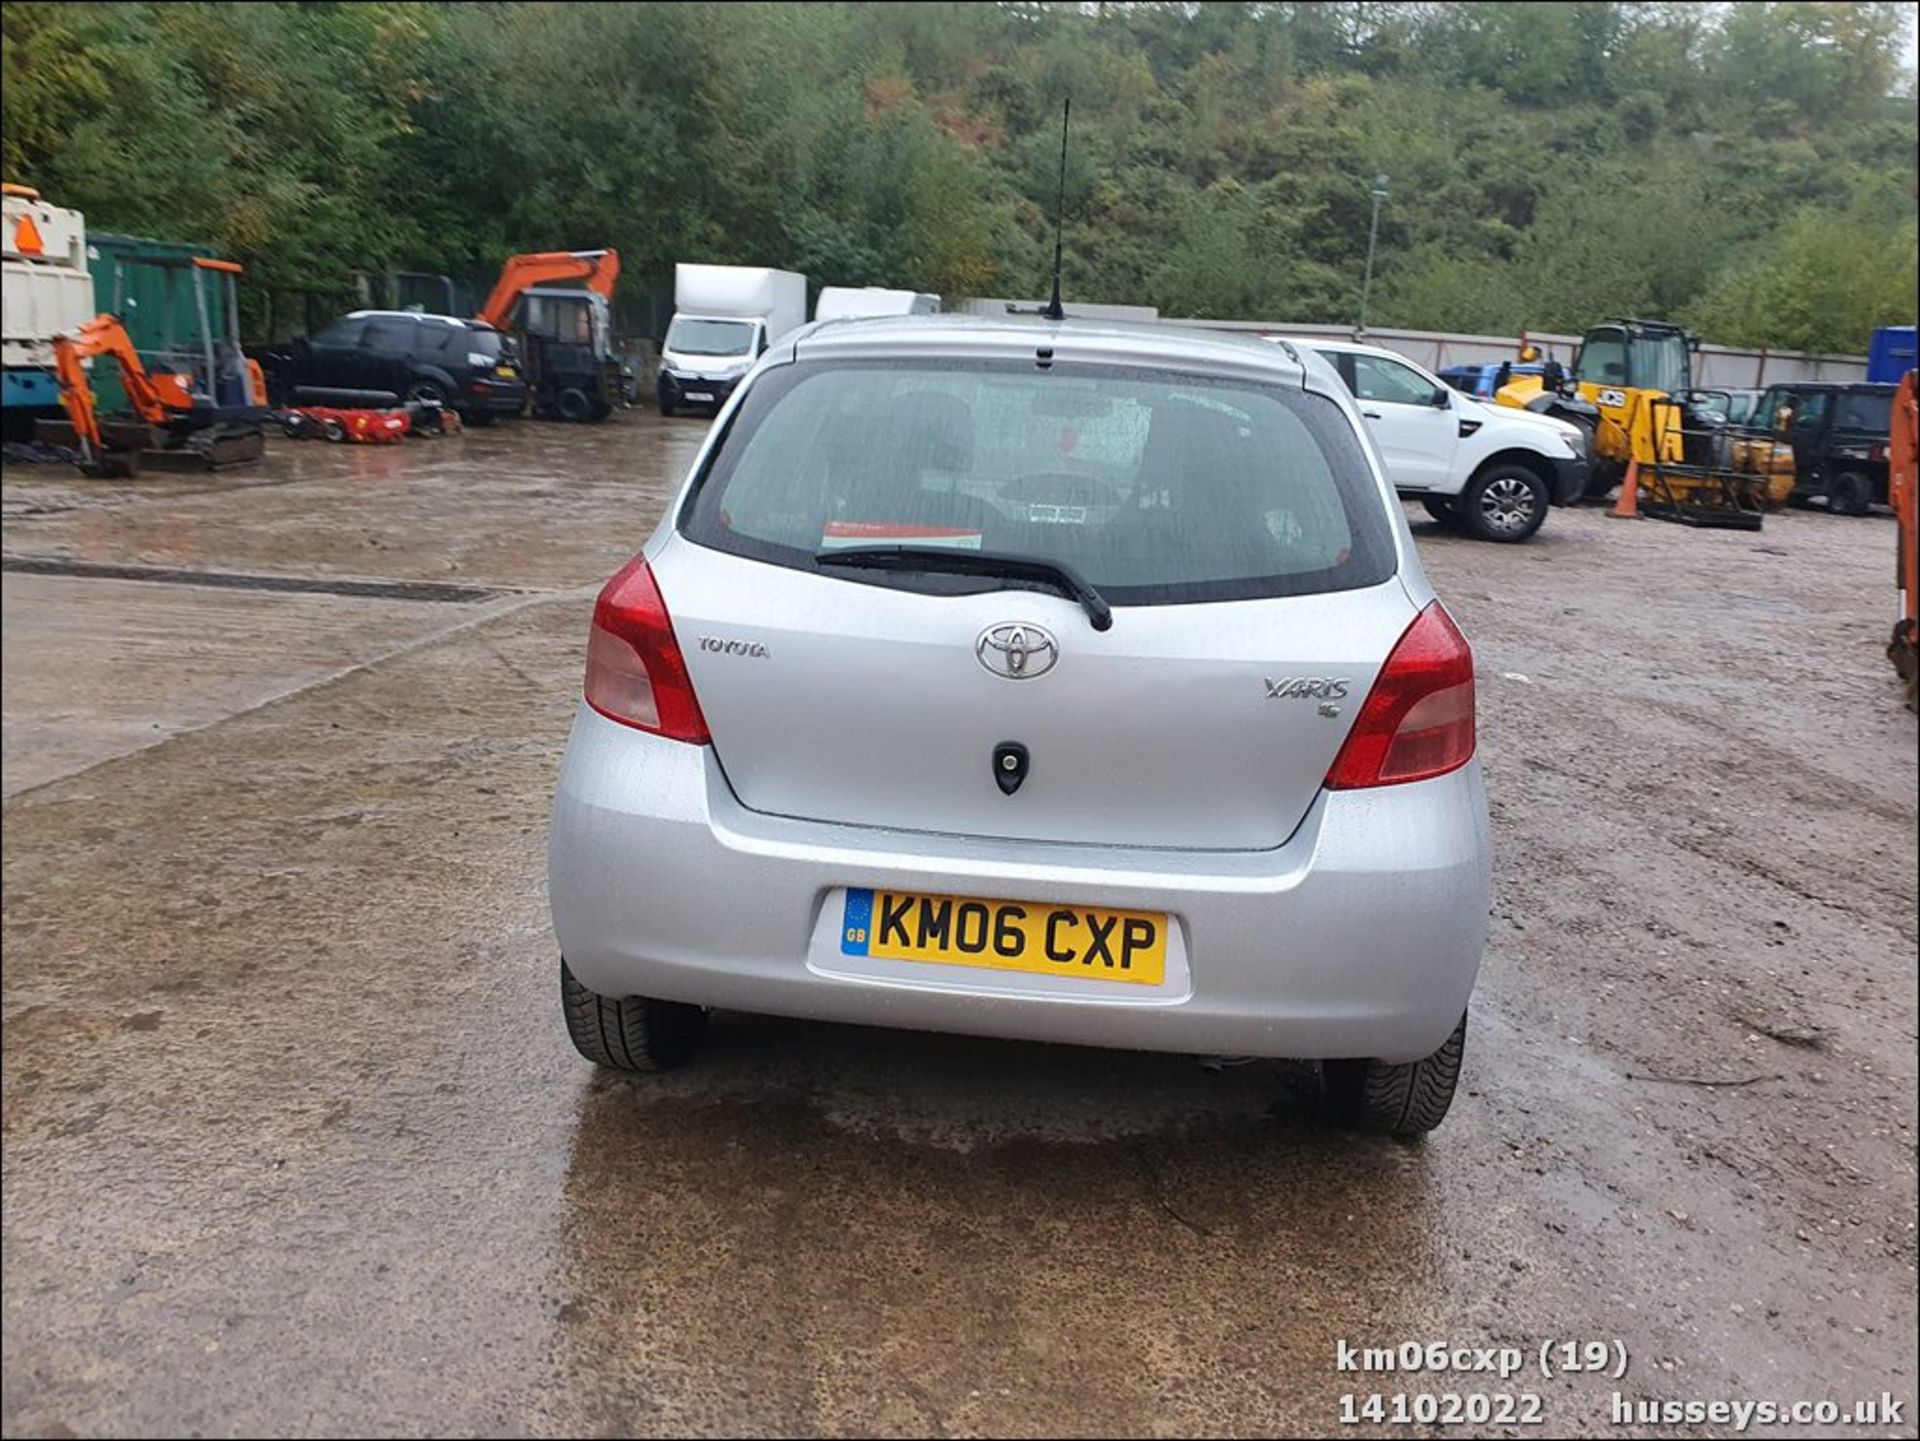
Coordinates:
(1740, 168)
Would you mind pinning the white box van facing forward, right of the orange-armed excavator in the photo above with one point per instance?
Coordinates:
(725, 319)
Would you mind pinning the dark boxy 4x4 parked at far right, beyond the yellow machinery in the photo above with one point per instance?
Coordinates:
(1840, 440)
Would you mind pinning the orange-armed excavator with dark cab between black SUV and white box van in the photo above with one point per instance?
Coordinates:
(565, 333)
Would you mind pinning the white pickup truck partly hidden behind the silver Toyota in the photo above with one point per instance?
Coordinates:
(1489, 469)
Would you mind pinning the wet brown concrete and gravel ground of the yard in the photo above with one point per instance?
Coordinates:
(295, 1139)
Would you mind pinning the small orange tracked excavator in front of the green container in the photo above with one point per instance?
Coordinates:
(180, 419)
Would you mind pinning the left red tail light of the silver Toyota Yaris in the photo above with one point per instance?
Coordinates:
(635, 667)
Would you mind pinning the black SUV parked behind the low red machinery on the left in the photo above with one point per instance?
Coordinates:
(466, 366)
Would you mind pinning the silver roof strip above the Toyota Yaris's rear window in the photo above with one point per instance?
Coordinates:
(1122, 343)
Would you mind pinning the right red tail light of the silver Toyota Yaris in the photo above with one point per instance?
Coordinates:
(1418, 720)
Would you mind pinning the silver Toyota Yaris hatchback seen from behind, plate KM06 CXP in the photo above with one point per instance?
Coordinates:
(1038, 680)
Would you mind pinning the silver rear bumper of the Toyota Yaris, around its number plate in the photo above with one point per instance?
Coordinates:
(1360, 937)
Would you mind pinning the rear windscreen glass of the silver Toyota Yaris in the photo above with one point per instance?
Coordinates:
(1155, 486)
